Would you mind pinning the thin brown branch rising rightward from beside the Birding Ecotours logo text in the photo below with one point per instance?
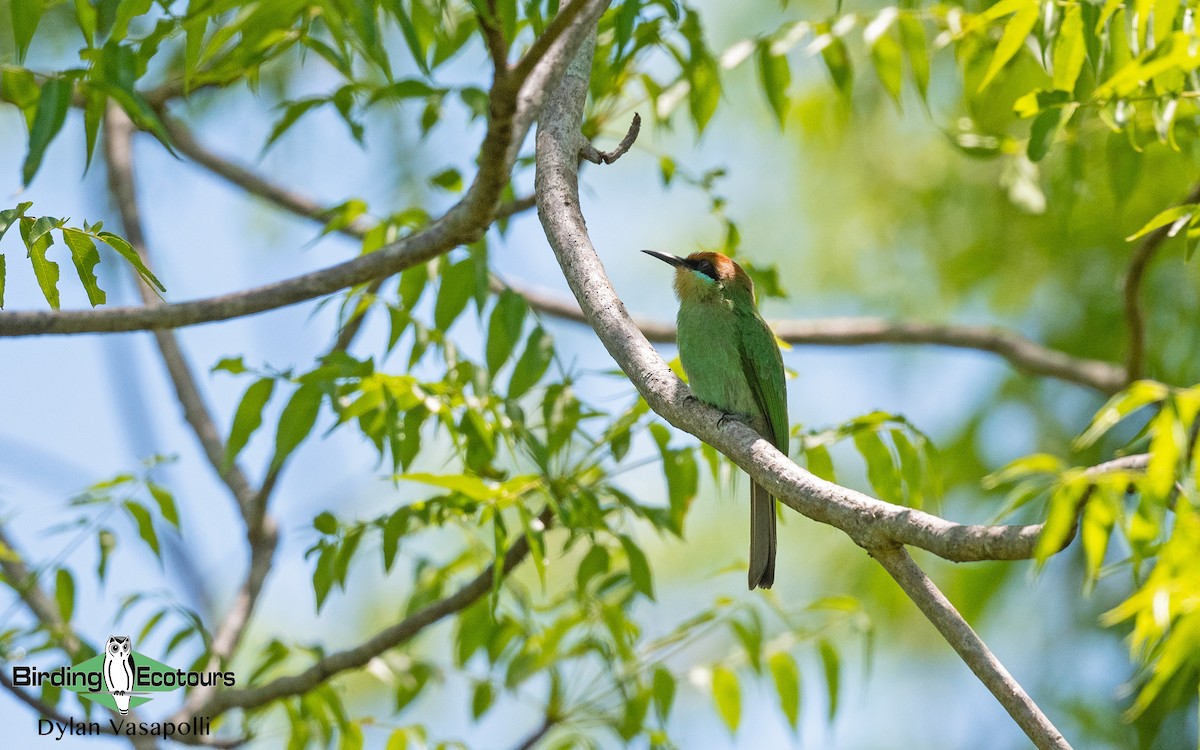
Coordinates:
(387, 639)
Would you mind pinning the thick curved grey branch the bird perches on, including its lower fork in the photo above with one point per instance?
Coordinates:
(877, 526)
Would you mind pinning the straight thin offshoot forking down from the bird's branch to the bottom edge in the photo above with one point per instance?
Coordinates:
(959, 634)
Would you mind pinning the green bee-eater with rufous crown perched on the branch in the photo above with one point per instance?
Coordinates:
(734, 364)
